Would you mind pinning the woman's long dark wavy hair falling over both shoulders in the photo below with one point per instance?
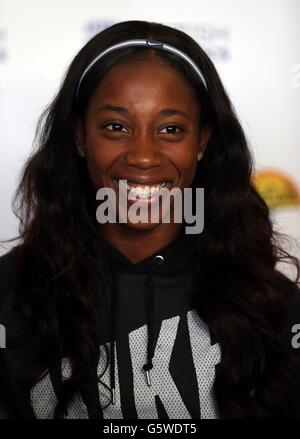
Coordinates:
(60, 272)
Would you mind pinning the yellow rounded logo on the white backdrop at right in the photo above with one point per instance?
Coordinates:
(276, 188)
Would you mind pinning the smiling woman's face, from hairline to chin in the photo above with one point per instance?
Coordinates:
(160, 133)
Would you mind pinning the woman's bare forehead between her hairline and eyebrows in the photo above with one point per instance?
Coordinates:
(145, 81)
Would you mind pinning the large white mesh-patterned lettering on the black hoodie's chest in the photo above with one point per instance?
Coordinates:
(164, 385)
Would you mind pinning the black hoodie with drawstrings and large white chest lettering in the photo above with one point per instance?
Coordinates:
(162, 355)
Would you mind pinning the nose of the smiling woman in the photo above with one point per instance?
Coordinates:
(143, 154)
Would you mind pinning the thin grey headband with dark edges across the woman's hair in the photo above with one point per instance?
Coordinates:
(143, 43)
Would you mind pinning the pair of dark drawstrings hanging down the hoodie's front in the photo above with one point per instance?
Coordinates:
(156, 261)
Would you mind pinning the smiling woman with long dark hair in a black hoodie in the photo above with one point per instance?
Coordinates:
(133, 319)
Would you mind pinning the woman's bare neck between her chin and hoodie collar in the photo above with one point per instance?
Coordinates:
(135, 244)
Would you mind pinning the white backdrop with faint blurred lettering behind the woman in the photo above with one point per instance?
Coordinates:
(255, 46)
